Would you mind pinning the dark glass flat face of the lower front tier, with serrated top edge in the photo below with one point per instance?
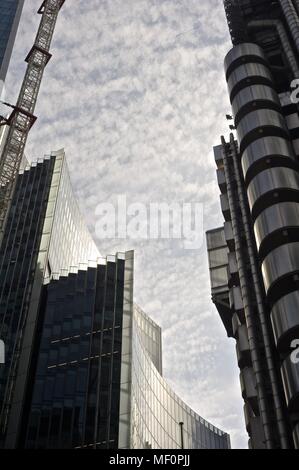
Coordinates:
(78, 385)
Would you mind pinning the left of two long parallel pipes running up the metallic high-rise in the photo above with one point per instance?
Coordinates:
(249, 313)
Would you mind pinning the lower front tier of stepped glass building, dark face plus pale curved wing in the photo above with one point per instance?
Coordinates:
(98, 382)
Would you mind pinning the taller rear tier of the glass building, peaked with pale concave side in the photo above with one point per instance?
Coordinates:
(43, 233)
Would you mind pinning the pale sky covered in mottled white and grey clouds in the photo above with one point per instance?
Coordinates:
(135, 93)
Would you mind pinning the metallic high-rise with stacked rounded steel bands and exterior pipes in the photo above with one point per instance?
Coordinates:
(254, 257)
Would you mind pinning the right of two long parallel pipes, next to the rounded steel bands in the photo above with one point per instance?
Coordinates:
(282, 430)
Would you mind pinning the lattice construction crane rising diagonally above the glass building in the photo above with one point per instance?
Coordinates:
(22, 117)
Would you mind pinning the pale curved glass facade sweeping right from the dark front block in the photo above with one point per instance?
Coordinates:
(156, 410)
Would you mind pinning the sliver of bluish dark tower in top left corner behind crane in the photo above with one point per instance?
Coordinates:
(10, 13)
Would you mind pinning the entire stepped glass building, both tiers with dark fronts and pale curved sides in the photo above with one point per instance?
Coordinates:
(83, 365)
